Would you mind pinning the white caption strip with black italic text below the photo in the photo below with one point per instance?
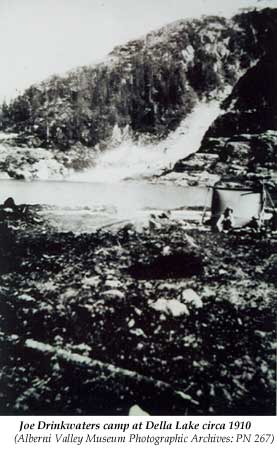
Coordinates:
(259, 425)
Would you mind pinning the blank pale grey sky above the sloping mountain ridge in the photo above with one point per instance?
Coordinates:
(39, 38)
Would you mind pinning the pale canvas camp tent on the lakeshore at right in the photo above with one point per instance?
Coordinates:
(245, 202)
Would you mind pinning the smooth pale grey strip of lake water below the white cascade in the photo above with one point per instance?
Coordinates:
(122, 195)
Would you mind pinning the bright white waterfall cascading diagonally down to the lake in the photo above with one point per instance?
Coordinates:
(131, 159)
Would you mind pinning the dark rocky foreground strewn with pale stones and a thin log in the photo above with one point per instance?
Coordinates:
(176, 321)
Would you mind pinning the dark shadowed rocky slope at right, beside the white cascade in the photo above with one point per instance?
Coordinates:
(244, 138)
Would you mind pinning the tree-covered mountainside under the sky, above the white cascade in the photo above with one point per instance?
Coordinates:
(146, 86)
